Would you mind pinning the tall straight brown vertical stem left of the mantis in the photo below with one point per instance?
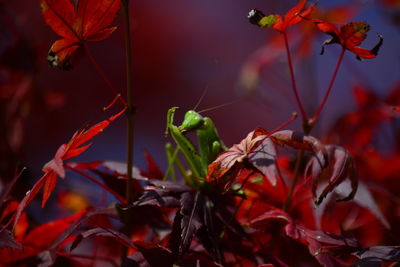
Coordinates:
(130, 112)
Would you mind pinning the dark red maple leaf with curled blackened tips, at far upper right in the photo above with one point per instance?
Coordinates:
(349, 36)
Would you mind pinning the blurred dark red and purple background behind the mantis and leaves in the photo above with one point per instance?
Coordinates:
(180, 49)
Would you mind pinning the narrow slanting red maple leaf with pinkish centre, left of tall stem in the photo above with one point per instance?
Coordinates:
(55, 167)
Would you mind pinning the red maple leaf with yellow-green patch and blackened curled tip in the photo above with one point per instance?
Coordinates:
(276, 22)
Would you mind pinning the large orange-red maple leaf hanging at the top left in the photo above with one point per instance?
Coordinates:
(87, 21)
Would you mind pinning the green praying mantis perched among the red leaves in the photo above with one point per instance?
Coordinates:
(209, 145)
